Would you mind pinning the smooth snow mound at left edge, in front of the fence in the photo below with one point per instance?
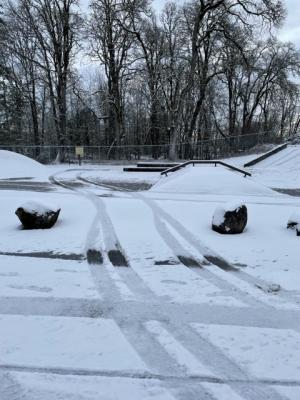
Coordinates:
(14, 165)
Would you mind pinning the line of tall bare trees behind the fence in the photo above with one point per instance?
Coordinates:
(204, 69)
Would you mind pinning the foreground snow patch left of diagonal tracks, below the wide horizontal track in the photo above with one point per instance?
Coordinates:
(69, 343)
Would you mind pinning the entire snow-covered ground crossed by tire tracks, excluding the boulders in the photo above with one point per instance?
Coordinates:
(187, 313)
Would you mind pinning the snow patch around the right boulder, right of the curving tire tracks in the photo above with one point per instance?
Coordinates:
(267, 248)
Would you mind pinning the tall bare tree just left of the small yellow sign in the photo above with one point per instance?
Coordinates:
(53, 27)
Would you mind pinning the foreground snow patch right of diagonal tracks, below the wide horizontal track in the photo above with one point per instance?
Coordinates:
(265, 353)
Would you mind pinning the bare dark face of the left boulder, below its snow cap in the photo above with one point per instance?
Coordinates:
(32, 219)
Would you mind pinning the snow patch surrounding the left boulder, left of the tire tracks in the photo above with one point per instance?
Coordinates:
(67, 236)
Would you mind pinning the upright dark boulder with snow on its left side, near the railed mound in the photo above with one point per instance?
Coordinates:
(230, 218)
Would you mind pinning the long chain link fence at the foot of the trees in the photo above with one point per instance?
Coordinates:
(203, 150)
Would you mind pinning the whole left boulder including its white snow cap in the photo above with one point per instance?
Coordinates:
(36, 215)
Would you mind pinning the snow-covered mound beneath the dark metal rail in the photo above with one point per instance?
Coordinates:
(210, 180)
